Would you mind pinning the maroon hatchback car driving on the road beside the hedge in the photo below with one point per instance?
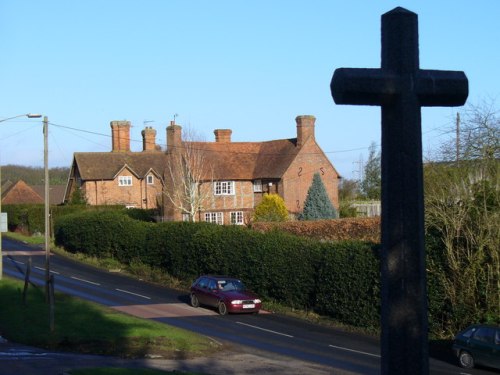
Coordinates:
(226, 294)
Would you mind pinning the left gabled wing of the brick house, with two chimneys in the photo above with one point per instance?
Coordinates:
(120, 177)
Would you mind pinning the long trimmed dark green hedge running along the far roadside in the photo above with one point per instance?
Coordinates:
(336, 279)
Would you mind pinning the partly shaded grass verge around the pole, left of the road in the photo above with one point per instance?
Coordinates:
(86, 327)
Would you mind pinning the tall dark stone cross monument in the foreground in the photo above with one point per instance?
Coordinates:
(401, 88)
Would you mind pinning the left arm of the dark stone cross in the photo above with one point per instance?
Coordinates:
(363, 86)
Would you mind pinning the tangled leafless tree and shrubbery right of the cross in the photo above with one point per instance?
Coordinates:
(462, 203)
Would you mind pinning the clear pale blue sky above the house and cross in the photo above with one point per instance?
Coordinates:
(250, 66)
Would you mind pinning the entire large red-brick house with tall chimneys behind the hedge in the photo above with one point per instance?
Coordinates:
(237, 174)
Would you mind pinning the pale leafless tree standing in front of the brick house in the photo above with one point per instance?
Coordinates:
(189, 176)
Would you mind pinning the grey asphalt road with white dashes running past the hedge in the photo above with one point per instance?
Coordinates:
(265, 336)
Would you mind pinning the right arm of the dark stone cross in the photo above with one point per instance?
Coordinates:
(442, 88)
